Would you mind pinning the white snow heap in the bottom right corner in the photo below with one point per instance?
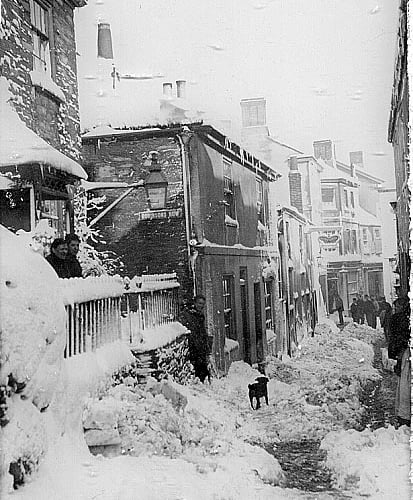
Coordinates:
(374, 464)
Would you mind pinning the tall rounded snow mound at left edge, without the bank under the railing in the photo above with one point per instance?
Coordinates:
(32, 345)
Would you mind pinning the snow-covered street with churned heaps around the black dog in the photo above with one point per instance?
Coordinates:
(205, 442)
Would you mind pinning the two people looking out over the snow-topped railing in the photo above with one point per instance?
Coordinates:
(63, 257)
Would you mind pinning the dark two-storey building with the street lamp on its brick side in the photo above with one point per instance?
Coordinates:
(211, 229)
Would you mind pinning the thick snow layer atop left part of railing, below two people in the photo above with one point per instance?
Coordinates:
(77, 290)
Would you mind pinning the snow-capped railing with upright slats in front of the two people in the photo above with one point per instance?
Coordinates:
(105, 309)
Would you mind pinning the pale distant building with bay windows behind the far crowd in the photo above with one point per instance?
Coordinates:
(351, 242)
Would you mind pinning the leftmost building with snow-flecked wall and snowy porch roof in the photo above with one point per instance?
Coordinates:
(39, 138)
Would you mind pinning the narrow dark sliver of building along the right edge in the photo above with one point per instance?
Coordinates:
(398, 135)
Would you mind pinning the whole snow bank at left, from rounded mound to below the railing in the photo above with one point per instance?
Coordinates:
(42, 394)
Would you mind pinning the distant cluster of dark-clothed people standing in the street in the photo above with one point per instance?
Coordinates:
(368, 309)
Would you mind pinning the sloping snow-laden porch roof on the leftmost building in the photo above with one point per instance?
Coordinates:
(21, 146)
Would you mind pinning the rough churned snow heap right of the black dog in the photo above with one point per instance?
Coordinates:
(318, 390)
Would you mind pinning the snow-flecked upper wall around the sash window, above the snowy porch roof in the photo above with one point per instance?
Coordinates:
(54, 120)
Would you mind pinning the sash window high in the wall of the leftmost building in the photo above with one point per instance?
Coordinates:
(39, 17)
